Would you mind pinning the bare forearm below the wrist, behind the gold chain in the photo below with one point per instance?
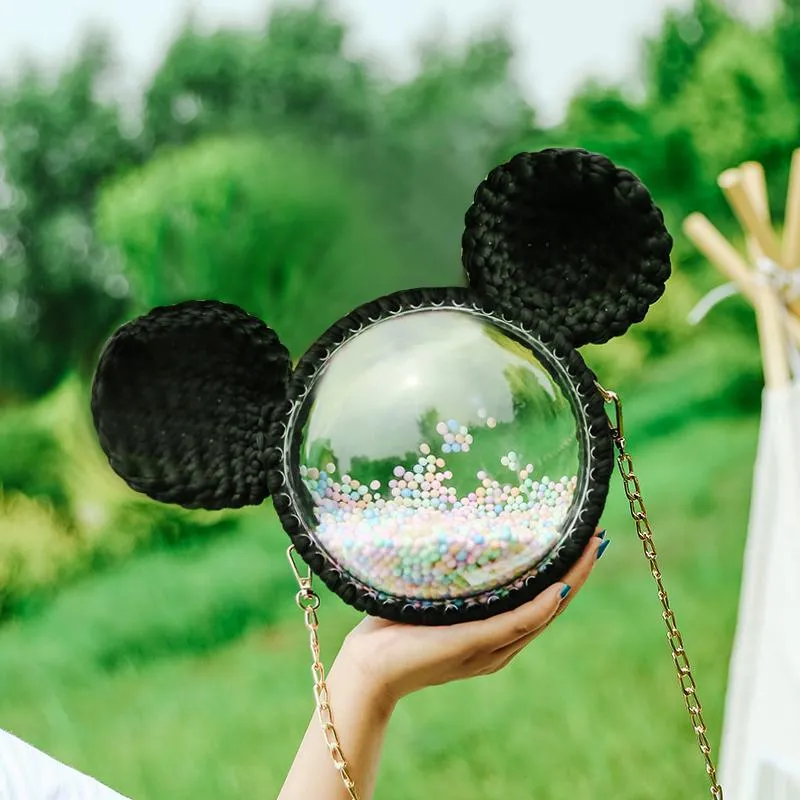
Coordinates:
(361, 715)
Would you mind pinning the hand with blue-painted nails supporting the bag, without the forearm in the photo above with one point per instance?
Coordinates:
(396, 659)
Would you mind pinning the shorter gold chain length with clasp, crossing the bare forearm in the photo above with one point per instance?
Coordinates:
(308, 602)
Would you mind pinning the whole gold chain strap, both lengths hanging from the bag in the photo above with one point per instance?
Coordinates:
(308, 602)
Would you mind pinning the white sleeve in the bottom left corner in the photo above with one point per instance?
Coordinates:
(28, 774)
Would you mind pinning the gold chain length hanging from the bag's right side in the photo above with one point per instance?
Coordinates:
(681, 660)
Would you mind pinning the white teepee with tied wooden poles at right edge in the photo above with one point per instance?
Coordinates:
(760, 752)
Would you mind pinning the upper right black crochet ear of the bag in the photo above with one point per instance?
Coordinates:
(565, 235)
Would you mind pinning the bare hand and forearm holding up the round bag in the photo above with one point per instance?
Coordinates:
(381, 661)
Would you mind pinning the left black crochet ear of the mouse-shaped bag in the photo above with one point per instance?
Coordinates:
(182, 400)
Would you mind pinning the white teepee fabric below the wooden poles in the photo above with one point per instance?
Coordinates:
(760, 755)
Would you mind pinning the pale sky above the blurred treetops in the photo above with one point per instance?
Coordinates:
(559, 43)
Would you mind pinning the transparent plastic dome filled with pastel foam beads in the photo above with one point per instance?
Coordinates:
(440, 457)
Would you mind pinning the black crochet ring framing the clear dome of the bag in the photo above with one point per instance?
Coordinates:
(293, 503)
